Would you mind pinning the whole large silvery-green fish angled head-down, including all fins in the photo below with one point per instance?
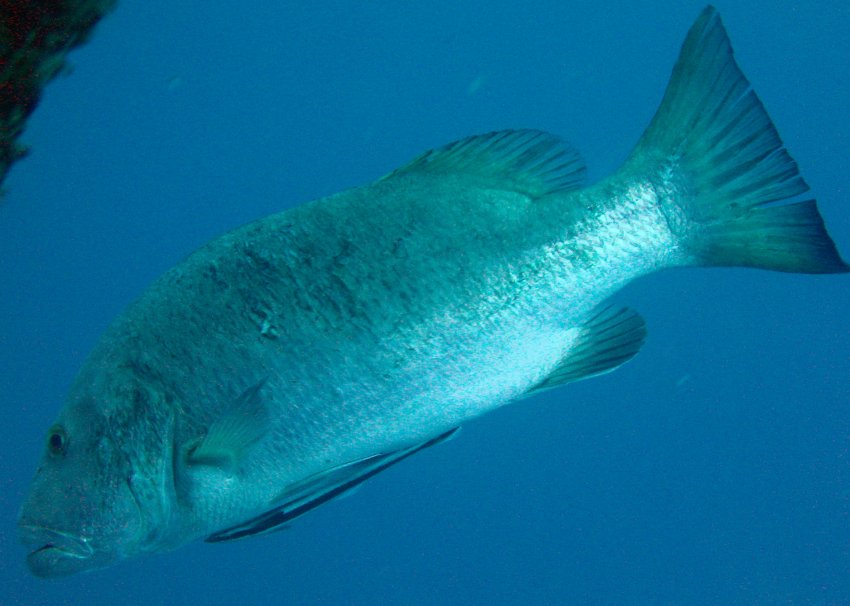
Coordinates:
(286, 362)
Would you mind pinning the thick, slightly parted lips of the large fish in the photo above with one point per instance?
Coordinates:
(58, 553)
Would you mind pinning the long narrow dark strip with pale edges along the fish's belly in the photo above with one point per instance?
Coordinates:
(307, 494)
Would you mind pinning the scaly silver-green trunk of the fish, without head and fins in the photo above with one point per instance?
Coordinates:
(371, 343)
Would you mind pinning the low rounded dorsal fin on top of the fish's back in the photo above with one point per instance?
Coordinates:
(531, 162)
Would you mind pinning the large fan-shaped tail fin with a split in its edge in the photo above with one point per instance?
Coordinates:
(721, 154)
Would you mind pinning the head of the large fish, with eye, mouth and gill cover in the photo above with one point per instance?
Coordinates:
(88, 505)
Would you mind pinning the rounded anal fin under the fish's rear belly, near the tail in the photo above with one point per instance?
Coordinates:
(609, 339)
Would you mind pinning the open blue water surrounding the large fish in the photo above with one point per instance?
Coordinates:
(714, 469)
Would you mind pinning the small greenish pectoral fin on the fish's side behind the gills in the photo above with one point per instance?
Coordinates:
(230, 437)
